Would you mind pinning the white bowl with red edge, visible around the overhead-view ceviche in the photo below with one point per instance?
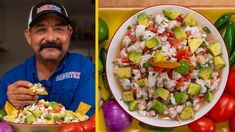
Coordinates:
(114, 50)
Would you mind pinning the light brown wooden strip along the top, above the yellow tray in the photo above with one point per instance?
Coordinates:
(146, 3)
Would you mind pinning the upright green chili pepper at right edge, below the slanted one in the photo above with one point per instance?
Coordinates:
(228, 38)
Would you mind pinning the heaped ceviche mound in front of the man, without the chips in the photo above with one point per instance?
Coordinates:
(45, 112)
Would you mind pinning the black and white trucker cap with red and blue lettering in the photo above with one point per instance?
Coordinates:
(47, 7)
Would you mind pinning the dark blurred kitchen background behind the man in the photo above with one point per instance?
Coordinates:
(14, 49)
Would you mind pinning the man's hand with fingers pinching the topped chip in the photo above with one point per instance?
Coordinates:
(18, 94)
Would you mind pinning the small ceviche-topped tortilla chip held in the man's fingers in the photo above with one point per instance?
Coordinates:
(38, 89)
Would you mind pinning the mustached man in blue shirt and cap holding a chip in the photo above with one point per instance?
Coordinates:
(68, 78)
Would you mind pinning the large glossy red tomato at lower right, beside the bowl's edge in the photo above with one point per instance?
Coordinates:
(223, 109)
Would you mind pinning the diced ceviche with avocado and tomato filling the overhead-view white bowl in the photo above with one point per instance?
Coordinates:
(169, 65)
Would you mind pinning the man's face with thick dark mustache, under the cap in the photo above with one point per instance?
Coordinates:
(49, 37)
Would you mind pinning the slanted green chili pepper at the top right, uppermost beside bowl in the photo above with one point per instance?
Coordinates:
(222, 20)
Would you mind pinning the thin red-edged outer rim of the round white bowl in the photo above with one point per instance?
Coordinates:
(170, 6)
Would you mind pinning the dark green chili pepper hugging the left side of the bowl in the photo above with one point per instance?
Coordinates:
(104, 78)
